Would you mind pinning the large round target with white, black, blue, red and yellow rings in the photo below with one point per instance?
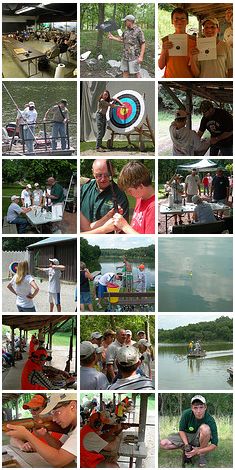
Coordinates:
(125, 120)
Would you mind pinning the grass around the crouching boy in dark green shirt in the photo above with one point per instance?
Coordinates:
(222, 457)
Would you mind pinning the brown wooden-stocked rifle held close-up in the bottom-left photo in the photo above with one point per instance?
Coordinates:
(30, 423)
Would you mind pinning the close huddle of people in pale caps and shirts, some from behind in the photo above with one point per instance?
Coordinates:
(114, 361)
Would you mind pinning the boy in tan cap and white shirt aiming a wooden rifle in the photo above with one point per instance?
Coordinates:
(63, 408)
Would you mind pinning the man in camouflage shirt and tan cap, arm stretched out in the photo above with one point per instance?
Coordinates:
(133, 47)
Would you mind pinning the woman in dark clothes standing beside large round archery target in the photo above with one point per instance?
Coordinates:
(104, 102)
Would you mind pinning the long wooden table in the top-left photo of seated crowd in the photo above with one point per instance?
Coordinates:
(30, 56)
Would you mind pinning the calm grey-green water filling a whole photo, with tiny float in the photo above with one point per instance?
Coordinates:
(195, 275)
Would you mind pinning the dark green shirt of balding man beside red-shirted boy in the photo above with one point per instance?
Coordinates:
(96, 204)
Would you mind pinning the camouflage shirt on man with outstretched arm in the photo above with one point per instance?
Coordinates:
(132, 40)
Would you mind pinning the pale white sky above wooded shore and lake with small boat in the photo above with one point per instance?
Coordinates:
(169, 322)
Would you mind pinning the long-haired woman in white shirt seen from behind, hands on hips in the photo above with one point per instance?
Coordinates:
(22, 285)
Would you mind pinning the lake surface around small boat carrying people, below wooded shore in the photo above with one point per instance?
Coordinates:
(177, 372)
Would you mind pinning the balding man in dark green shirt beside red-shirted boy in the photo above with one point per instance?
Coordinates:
(97, 196)
